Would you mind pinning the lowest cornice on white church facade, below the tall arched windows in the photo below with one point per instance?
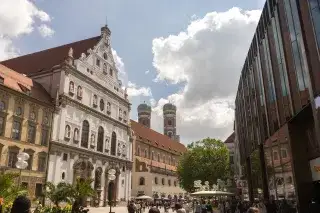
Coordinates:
(87, 153)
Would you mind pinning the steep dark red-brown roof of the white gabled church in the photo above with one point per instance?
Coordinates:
(46, 59)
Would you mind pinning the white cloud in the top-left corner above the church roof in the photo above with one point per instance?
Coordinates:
(17, 17)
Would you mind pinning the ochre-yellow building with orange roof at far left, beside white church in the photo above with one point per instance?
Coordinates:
(25, 124)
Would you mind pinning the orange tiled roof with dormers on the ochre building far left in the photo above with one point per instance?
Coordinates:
(23, 84)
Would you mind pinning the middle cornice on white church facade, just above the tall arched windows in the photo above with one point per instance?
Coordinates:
(64, 99)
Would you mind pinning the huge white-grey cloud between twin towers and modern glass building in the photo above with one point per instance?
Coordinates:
(207, 58)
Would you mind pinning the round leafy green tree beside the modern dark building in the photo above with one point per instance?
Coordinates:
(206, 160)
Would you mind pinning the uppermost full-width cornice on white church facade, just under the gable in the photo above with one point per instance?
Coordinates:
(70, 69)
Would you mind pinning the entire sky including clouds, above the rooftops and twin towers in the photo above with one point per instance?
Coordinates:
(187, 52)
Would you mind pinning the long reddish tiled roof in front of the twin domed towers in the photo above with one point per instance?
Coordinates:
(156, 139)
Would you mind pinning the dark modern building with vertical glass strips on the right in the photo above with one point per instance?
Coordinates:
(277, 118)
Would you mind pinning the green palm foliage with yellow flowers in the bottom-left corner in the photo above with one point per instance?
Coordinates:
(9, 190)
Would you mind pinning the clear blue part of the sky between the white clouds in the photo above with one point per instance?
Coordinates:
(134, 25)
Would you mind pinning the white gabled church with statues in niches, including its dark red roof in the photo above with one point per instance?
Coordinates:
(90, 133)
